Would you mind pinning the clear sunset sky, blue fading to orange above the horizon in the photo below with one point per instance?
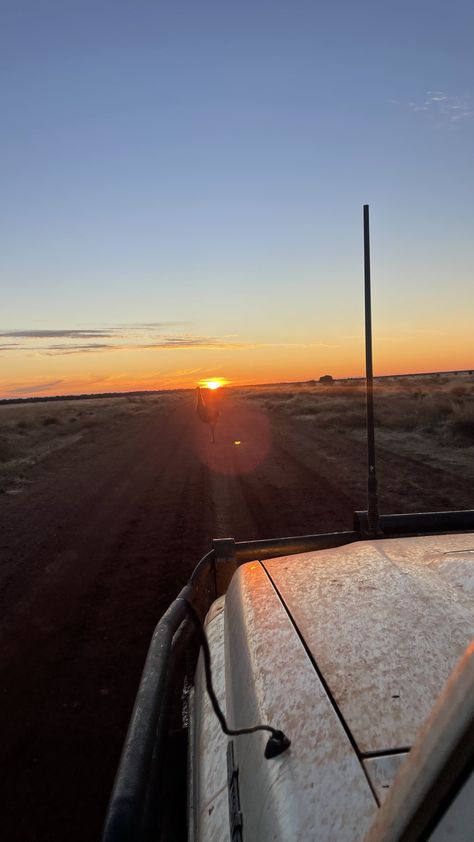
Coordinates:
(182, 190)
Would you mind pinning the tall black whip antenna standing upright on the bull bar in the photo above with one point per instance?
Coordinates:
(372, 503)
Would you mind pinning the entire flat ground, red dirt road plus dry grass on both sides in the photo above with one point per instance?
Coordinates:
(107, 504)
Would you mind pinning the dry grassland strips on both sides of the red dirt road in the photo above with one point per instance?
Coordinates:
(431, 415)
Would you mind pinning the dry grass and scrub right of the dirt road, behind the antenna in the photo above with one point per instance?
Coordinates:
(427, 421)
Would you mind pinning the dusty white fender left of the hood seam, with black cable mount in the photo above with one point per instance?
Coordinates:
(316, 789)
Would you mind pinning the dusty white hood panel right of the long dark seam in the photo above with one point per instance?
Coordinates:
(384, 623)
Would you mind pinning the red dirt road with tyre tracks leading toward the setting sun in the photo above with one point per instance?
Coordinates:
(97, 545)
